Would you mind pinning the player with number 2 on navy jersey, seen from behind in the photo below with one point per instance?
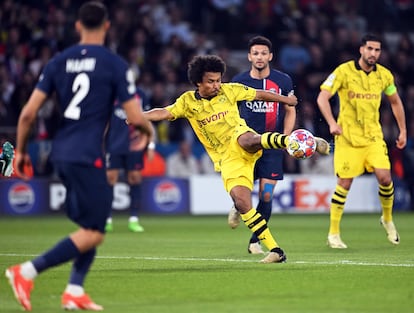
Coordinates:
(87, 78)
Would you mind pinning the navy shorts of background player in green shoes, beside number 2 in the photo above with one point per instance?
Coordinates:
(128, 161)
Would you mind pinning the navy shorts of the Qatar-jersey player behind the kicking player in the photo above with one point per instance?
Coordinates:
(269, 165)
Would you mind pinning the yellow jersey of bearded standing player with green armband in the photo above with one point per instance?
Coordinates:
(359, 100)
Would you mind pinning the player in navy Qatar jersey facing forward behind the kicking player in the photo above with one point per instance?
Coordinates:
(264, 117)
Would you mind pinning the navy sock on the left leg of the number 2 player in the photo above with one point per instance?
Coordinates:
(62, 252)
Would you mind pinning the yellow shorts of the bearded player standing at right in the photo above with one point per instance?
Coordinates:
(352, 161)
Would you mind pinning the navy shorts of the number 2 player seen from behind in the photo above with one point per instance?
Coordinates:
(88, 194)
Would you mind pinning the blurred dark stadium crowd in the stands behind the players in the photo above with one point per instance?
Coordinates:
(158, 38)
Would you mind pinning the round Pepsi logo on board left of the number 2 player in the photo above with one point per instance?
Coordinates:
(21, 197)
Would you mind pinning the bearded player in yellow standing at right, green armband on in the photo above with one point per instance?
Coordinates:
(359, 142)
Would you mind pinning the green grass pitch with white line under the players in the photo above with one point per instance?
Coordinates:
(198, 264)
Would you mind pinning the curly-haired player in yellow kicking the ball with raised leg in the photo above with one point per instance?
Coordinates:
(233, 147)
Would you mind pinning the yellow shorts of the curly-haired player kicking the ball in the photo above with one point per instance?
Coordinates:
(237, 165)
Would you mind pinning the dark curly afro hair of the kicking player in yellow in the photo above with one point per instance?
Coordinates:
(202, 64)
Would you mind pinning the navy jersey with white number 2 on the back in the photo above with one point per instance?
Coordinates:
(87, 79)
